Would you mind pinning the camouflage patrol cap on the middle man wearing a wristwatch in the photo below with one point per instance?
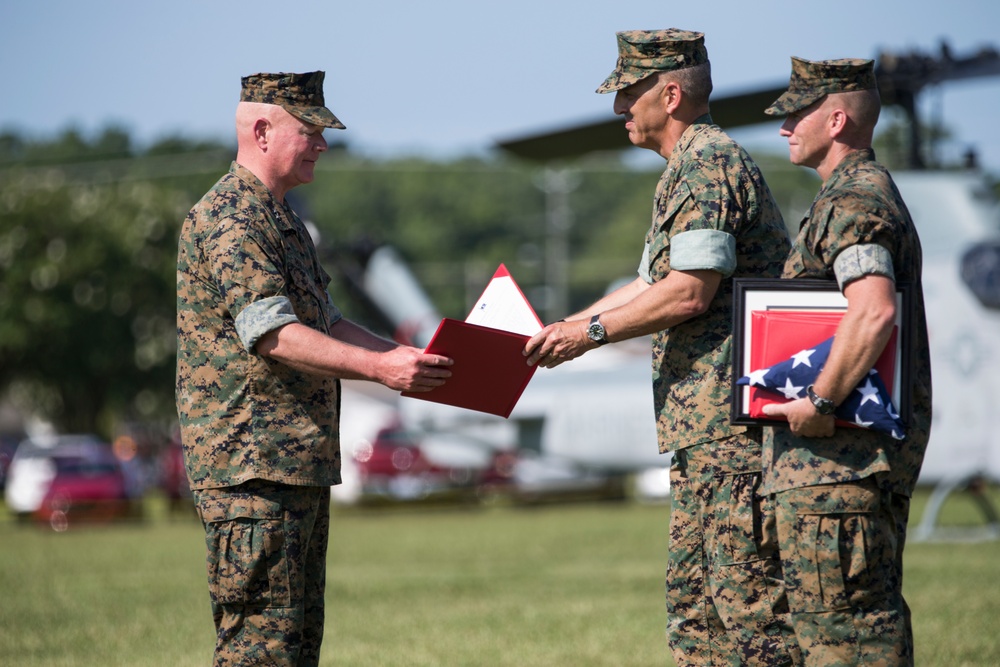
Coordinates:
(642, 53)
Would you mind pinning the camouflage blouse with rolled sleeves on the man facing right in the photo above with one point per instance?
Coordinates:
(244, 416)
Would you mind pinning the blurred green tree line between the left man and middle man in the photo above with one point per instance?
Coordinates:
(456, 221)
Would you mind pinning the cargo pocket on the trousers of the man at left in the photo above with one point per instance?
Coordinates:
(246, 547)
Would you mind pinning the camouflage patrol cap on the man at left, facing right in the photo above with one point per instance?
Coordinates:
(299, 94)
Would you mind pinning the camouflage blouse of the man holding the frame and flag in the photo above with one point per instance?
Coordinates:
(858, 204)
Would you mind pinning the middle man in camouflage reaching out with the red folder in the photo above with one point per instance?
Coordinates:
(712, 212)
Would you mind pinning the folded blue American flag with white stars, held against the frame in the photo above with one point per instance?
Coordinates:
(869, 405)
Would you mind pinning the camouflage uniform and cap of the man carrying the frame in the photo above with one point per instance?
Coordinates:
(843, 501)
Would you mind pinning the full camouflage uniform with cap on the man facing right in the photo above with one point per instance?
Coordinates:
(261, 440)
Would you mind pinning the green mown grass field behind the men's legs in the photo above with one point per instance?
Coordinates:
(558, 585)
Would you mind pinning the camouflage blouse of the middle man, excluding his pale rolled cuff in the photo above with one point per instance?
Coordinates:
(710, 183)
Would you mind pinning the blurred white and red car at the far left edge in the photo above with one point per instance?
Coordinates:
(63, 480)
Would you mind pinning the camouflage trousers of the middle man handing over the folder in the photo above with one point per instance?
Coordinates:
(725, 595)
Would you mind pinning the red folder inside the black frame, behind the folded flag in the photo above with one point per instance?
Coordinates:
(777, 335)
